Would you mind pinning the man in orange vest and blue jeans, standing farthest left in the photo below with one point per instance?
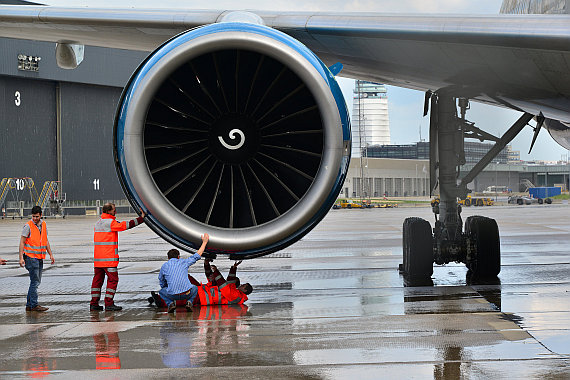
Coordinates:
(33, 247)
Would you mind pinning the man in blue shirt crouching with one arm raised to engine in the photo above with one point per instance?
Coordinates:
(173, 278)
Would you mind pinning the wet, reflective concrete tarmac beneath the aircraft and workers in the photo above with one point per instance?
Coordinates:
(332, 306)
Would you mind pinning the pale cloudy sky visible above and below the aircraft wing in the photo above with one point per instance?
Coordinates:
(405, 106)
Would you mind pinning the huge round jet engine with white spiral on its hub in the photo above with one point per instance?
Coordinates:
(236, 130)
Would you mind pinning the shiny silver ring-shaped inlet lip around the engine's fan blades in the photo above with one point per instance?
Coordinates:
(146, 83)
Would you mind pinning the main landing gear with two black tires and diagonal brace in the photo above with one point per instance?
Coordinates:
(477, 245)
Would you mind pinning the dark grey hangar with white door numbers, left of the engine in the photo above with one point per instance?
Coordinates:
(57, 124)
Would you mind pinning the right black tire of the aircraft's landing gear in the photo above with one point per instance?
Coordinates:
(484, 233)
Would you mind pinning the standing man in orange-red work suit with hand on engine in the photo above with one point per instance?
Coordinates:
(106, 252)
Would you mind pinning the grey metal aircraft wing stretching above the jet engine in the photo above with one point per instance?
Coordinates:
(519, 61)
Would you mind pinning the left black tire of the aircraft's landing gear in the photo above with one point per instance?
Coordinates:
(418, 251)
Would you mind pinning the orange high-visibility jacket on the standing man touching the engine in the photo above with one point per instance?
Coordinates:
(106, 241)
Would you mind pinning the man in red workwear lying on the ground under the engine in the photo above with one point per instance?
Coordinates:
(218, 290)
